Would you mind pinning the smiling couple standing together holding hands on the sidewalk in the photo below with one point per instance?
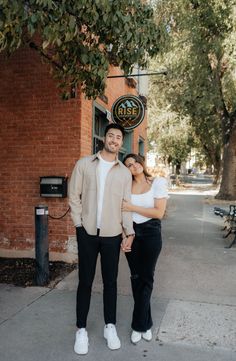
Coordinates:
(104, 211)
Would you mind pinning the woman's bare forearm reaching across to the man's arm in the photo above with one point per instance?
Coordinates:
(157, 212)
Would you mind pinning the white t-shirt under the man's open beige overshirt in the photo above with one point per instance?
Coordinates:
(102, 171)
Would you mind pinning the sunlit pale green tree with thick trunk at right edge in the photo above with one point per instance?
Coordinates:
(197, 45)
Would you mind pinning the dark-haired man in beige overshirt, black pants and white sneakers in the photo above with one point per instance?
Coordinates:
(98, 185)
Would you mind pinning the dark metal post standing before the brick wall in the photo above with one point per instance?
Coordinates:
(41, 245)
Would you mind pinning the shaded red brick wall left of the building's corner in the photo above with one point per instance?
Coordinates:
(40, 136)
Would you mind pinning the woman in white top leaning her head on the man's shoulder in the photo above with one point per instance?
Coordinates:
(148, 204)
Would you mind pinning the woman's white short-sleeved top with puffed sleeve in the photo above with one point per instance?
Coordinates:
(158, 190)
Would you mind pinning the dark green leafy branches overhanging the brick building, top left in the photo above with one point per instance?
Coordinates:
(81, 38)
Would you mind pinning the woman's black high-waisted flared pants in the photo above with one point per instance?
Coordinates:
(142, 261)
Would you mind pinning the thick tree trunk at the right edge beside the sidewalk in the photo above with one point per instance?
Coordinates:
(228, 183)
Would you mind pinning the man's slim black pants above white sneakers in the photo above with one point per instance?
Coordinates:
(88, 249)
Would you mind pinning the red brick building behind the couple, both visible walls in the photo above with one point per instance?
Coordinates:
(42, 135)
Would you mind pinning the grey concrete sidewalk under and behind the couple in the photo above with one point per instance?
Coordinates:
(193, 305)
